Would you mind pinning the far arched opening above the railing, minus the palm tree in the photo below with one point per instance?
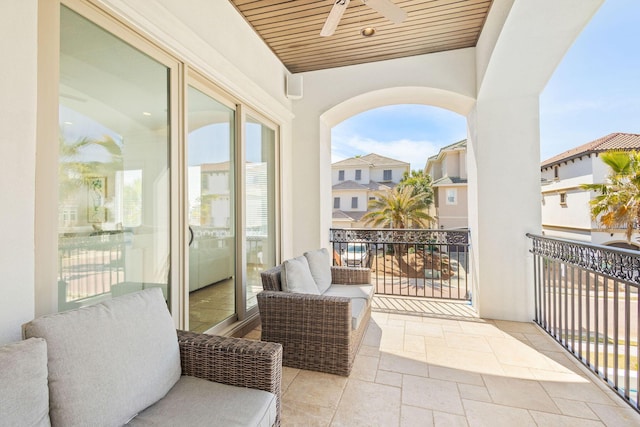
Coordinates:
(401, 139)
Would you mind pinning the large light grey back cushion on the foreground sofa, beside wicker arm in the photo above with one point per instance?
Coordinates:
(109, 361)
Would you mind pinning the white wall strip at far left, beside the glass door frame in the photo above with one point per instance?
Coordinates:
(18, 85)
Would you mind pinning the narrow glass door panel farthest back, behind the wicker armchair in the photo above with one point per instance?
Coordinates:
(260, 201)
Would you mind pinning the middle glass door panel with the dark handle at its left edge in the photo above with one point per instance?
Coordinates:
(210, 186)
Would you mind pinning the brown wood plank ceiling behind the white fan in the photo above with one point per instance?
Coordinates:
(291, 28)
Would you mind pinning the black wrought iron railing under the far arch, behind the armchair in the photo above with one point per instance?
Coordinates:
(408, 262)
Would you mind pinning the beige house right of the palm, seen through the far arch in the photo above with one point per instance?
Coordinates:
(448, 171)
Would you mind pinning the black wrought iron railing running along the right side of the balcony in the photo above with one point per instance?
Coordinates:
(586, 298)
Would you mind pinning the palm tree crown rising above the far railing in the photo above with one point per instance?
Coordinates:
(399, 208)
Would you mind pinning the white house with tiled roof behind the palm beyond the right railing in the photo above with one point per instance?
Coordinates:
(565, 206)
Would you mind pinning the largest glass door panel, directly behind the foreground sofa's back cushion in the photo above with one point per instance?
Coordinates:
(113, 215)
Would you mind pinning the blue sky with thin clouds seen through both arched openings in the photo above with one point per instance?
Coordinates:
(594, 91)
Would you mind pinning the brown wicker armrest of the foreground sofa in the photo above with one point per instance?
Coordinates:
(233, 361)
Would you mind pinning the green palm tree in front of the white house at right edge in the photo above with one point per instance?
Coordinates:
(618, 204)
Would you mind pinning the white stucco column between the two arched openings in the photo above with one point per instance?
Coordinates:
(504, 200)
